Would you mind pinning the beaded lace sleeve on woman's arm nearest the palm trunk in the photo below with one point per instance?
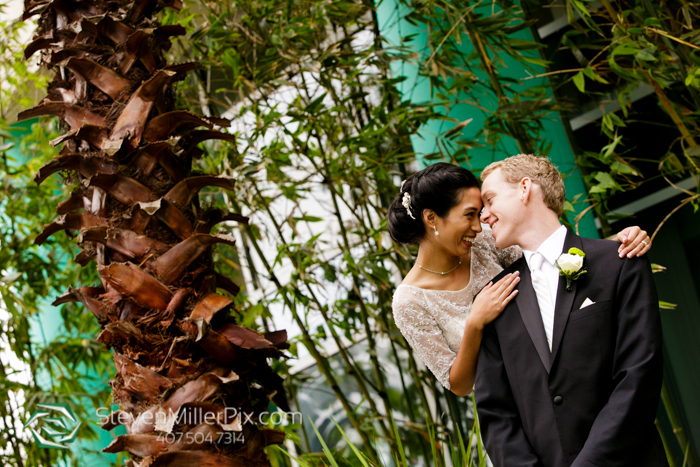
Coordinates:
(423, 333)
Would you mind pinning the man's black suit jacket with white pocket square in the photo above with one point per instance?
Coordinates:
(592, 400)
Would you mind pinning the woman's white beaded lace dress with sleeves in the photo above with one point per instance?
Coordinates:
(432, 321)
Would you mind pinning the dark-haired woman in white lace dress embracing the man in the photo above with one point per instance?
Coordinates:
(438, 209)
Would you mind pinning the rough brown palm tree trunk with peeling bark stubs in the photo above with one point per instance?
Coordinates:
(191, 384)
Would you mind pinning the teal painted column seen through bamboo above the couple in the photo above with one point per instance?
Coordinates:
(415, 88)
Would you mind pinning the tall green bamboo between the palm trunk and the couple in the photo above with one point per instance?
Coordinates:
(323, 140)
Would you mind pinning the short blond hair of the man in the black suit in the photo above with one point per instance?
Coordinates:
(538, 169)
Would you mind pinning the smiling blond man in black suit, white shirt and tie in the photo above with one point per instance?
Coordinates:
(566, 377)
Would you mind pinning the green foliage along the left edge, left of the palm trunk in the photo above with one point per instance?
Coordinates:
(39, 362)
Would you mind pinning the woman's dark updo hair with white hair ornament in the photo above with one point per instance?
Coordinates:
(436, 187)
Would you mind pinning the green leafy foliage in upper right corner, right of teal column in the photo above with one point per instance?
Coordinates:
(639, 43)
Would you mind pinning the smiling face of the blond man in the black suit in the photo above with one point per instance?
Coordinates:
(503, 208)
